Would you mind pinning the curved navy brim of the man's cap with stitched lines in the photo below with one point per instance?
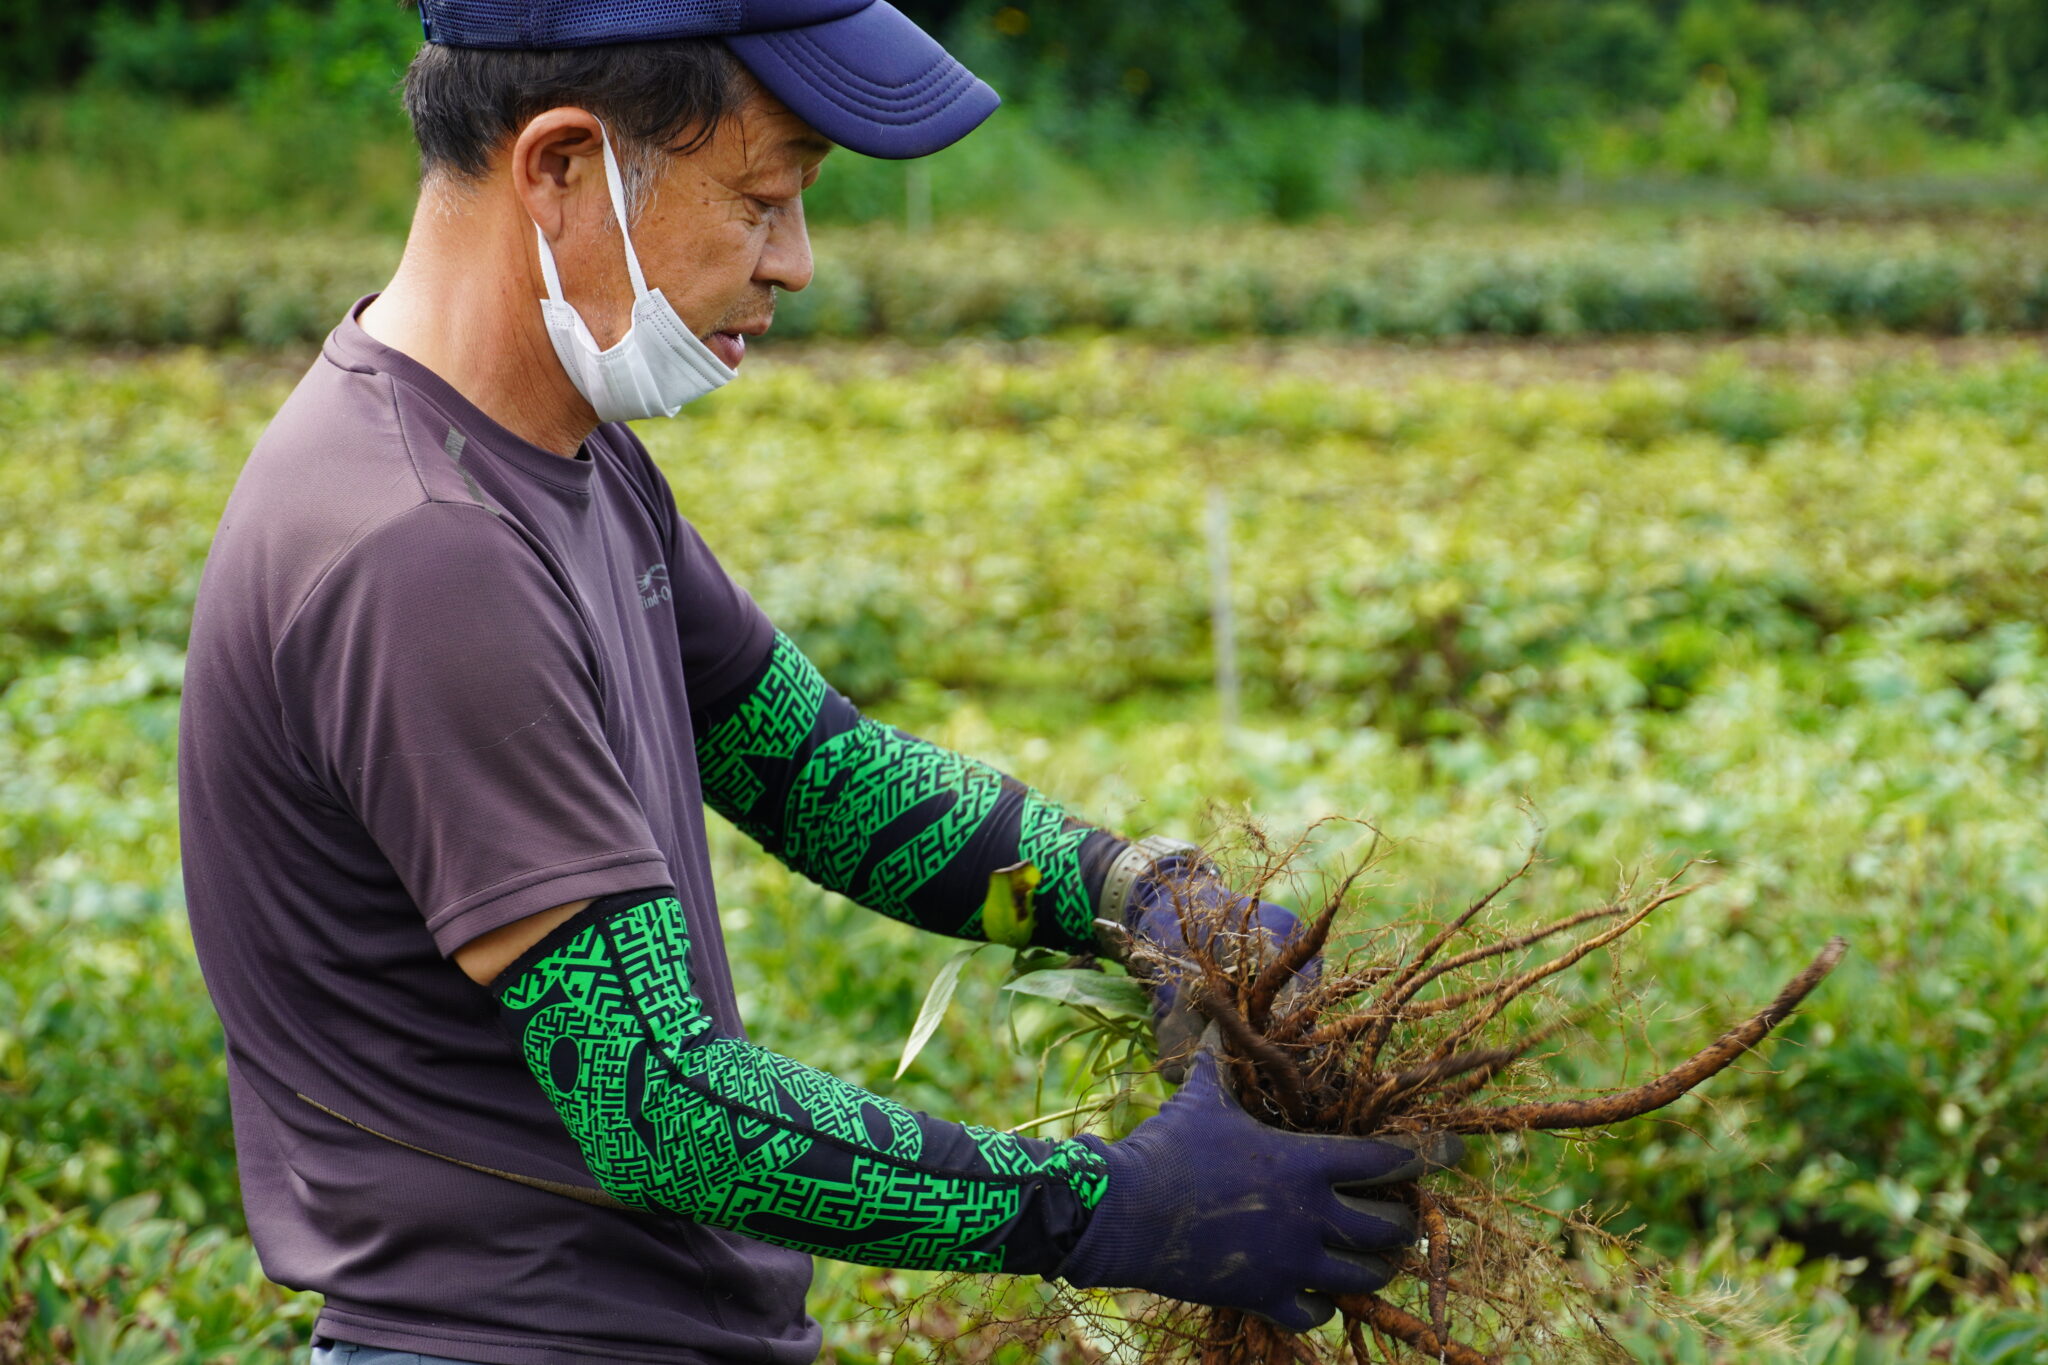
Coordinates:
(873, 83)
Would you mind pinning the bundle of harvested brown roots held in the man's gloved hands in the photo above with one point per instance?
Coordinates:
(1420, 1028)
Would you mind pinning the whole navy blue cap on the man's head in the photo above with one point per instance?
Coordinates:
(855, 71)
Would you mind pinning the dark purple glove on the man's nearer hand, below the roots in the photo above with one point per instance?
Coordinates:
(1211, 1206)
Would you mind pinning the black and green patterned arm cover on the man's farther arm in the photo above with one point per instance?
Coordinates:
(898, 824)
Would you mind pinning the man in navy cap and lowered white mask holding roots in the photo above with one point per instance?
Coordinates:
(460, 687)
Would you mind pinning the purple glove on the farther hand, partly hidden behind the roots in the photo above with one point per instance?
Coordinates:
(1154, 918)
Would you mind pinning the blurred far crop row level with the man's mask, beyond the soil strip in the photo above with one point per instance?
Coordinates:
(1400, 281)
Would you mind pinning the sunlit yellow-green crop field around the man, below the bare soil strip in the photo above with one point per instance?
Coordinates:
(1773, 605)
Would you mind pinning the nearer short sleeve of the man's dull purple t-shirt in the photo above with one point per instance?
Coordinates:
(441, 687)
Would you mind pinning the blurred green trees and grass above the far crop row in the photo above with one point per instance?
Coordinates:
(122, 116)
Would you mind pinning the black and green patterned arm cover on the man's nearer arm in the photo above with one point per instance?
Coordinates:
(675, 1116)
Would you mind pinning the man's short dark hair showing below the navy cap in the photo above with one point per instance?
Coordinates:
(669, 95)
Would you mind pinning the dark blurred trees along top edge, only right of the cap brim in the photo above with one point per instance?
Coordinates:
(1541, 62)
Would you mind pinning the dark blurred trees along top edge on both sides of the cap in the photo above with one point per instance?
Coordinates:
(1967, 62)
